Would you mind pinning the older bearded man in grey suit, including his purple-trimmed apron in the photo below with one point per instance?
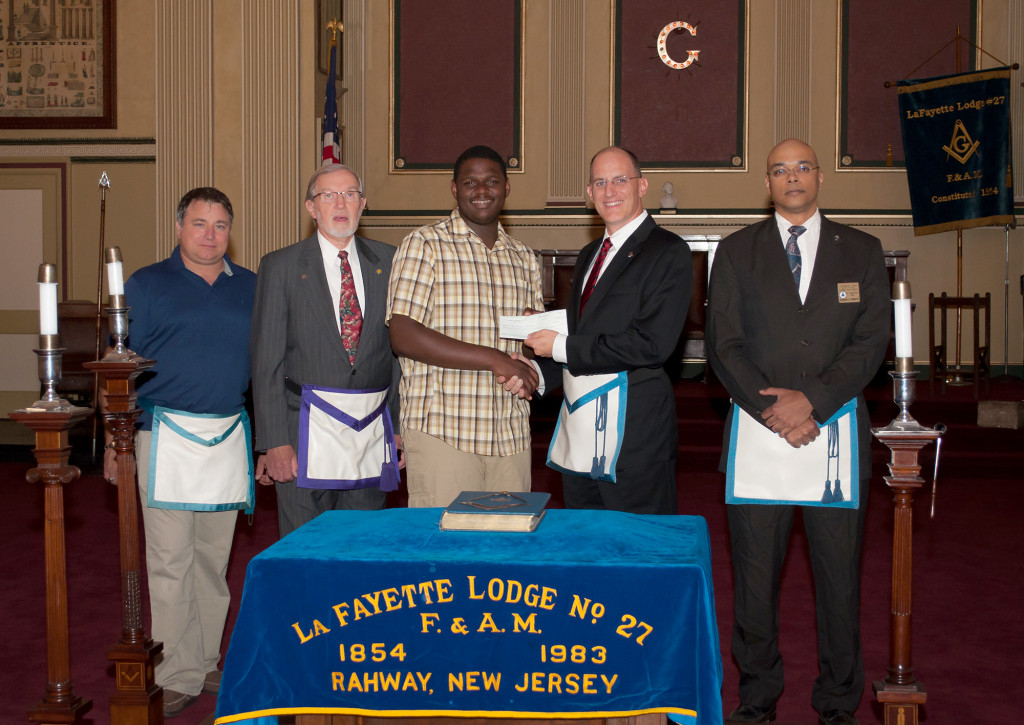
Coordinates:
(320, 348)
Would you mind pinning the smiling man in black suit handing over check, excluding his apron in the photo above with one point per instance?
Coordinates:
(631, 291)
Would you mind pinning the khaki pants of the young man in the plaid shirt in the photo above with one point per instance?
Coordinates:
(437, 473)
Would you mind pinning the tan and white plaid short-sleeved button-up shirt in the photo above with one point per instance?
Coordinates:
(446, 278)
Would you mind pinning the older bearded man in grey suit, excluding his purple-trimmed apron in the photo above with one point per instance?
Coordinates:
(307, 297)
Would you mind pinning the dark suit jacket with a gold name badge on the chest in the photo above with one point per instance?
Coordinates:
(761, 335)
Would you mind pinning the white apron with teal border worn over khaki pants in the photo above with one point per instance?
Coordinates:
(200, 462)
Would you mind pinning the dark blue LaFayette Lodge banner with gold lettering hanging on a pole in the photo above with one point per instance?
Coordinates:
(957, 145)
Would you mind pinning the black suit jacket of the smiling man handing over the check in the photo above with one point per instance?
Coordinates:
(632, 323)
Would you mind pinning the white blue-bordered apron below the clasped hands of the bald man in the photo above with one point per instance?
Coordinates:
(764, 470)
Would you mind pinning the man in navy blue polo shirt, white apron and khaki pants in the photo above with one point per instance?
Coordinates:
(192, 314)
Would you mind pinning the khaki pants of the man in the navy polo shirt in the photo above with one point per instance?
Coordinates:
(187, 562)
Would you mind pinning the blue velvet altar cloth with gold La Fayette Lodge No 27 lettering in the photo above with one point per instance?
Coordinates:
(596, 614)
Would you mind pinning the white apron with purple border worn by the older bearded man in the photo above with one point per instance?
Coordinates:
(347, 440)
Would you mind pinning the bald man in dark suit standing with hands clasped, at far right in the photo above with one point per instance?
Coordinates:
(798, 324)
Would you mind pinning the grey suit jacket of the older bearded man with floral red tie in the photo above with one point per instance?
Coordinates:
(295, 336)
